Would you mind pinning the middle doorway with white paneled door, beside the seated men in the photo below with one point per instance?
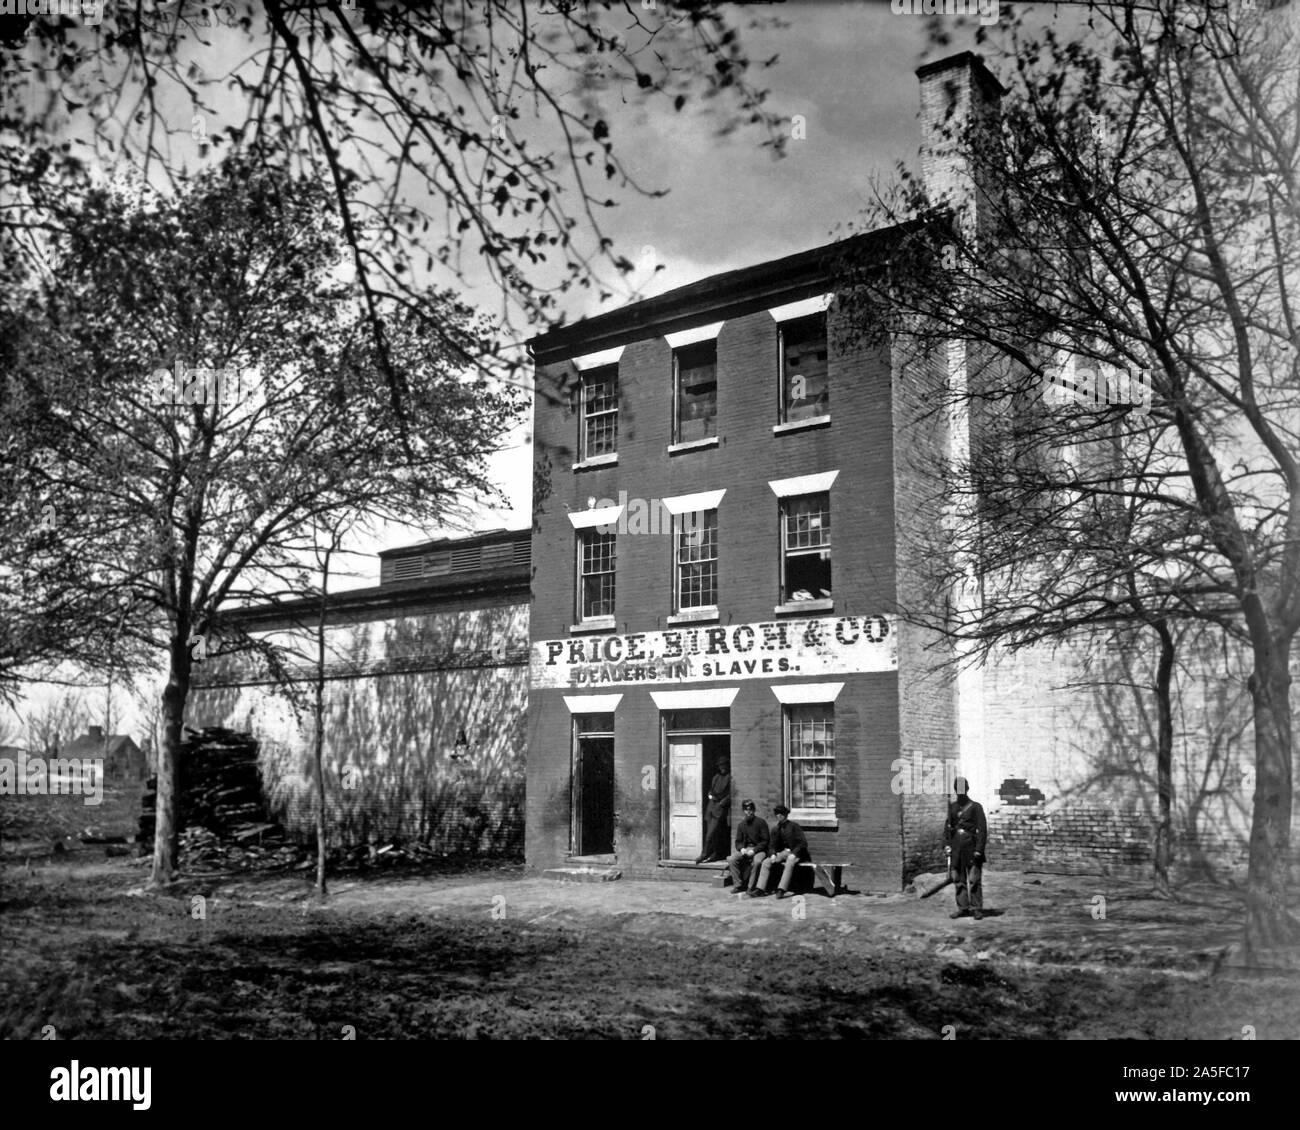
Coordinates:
(694, 744)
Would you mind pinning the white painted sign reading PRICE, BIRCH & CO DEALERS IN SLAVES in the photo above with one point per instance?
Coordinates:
(827, 646)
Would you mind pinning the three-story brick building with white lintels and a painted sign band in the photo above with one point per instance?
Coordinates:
(725, 480)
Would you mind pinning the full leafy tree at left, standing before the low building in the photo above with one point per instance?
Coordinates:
(218, 396)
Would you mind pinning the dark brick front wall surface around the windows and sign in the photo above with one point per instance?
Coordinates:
(860, 444)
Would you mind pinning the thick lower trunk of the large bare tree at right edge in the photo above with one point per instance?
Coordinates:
(1267, 921)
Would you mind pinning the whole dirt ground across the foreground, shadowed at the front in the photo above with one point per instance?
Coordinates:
(495, 954)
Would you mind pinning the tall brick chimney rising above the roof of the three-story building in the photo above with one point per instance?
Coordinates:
(960, 99)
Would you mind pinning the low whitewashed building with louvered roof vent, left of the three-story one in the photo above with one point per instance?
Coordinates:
(426, 695)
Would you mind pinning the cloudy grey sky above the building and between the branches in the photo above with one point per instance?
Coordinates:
(843, 71)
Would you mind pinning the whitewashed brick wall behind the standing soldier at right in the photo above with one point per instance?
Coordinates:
(1080, 728)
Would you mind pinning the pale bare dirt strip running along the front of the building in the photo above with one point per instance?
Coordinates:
(1043, 919)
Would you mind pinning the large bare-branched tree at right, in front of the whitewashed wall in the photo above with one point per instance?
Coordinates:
(1121, 272)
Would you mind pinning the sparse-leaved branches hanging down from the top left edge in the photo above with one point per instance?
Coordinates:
(448, 132)
